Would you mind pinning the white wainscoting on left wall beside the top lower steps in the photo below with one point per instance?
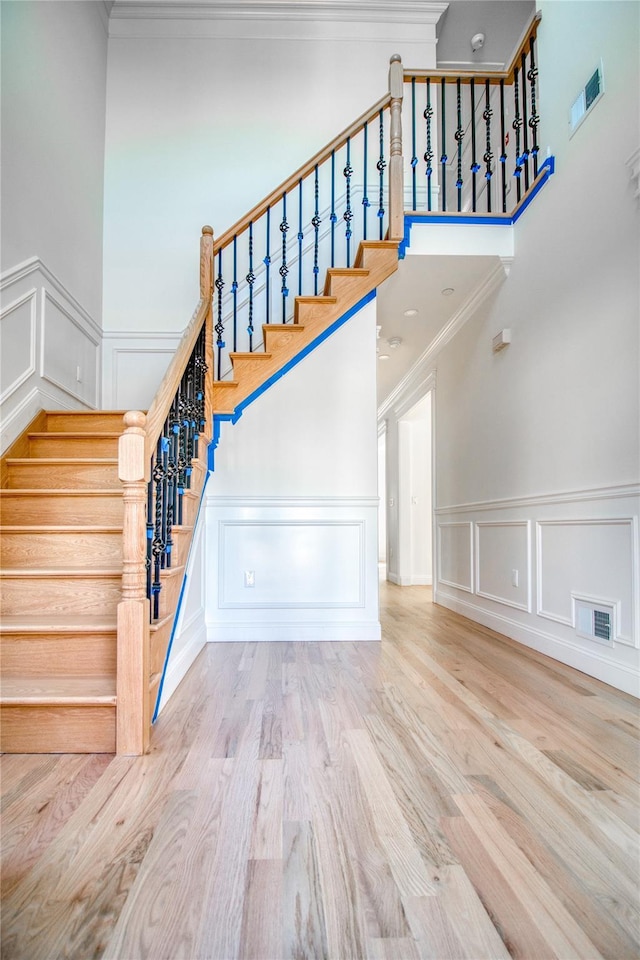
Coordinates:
(51, 348)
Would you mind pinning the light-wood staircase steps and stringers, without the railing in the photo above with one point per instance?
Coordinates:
(61, 515)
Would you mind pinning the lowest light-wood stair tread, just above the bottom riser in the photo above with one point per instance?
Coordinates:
(61, 691)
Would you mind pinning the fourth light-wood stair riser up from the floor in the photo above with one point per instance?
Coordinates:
(46, 549)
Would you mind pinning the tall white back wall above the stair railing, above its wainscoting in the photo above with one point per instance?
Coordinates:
(206, 117)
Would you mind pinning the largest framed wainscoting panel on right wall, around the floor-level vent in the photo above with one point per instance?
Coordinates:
(593, 558)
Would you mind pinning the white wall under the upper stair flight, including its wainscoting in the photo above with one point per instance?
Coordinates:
(293, 498)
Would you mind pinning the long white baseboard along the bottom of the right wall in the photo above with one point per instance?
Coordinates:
(594, 662)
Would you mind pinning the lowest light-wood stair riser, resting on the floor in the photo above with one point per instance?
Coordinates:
(58, 729)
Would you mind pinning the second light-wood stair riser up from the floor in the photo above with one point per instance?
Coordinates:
(65, 655)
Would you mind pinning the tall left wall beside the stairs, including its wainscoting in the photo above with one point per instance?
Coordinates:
(53, 89)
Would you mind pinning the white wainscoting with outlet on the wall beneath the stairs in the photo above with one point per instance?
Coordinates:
(295, 569)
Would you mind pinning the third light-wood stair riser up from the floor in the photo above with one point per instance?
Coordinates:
(55, 595)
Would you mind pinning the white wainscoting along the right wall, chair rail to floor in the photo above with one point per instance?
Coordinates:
(569, 549)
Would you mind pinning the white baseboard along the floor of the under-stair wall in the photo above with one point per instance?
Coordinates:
(259, 632)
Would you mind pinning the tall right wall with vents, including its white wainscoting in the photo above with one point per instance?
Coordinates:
(538, 446)
